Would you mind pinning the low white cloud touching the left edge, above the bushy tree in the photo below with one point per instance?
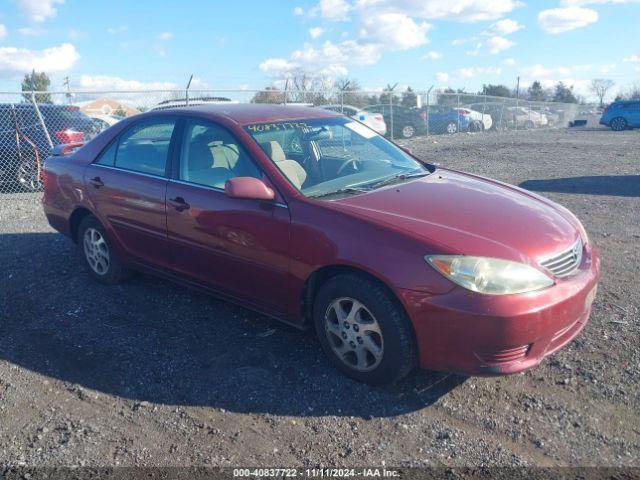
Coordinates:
(16, 61)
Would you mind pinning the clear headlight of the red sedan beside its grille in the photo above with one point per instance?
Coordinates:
(489, 275)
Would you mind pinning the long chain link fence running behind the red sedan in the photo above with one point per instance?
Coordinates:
(32, 124)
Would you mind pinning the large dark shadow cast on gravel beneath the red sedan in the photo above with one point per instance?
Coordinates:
(151, 340)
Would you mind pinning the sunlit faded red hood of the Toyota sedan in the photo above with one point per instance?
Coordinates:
(457, 213)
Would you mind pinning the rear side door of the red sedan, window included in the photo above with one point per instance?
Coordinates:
(127, 186)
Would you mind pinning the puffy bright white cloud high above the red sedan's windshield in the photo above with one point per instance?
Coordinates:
(398, 31)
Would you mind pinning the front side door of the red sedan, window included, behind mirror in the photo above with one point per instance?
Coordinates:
(237, 246)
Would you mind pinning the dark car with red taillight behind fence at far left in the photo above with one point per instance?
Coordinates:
(24, 144)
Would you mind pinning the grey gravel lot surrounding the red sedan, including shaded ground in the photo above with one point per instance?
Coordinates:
(151, 373)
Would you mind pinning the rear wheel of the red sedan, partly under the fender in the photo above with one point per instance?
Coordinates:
(99, 257)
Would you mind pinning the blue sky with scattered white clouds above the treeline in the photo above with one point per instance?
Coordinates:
(247, 44)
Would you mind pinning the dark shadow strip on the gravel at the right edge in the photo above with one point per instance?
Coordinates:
(614, 185)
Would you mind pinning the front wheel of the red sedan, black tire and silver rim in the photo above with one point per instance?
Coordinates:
(377, 346)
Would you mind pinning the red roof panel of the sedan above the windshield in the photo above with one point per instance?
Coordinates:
(245, 114)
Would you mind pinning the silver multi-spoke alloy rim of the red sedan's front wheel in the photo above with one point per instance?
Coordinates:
(354, 334)
